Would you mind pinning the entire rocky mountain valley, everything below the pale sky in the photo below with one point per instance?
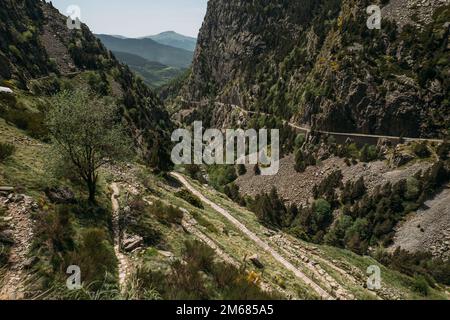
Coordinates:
(87, 177)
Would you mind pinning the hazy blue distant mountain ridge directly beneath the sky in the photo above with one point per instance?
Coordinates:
(150, 50)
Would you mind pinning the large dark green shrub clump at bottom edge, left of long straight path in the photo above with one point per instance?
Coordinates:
(199, 276)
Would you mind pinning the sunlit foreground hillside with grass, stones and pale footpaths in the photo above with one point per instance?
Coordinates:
(155, 237)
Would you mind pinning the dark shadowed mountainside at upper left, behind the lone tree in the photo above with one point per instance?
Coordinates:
(40, 57)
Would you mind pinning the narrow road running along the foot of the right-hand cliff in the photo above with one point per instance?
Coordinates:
(308, 129)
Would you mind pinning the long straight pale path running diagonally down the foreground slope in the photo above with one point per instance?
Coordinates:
(289, 266)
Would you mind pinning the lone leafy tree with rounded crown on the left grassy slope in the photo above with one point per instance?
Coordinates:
(86, 132)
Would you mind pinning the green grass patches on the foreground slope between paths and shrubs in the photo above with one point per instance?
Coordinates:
(28, 170)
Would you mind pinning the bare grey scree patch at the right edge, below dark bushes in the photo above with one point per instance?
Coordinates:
(428, 229)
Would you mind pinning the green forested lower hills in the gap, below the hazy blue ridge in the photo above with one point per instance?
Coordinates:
(154, 74)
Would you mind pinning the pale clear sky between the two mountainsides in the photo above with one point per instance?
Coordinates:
(136, 18)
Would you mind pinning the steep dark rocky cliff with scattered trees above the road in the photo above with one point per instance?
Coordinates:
(315, 61)
